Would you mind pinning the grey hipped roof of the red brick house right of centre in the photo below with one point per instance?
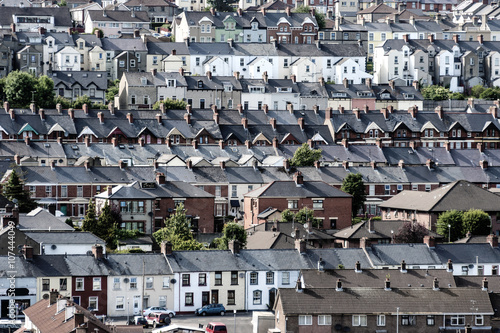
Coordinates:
(289, 189)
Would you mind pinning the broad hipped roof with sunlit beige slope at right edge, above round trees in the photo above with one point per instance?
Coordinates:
(460, 195)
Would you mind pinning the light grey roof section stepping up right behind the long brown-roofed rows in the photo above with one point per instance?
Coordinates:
(393, 254)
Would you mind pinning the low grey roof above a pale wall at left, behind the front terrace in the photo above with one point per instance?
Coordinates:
(61, 237)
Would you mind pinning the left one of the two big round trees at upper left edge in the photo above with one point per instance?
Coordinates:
(18, 88)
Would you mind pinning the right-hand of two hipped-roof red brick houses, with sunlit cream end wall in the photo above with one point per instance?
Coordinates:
(330, 205)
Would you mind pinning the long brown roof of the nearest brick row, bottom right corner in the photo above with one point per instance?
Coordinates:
(377, 300)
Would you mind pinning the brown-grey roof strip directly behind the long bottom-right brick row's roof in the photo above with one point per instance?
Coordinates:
(375, 278)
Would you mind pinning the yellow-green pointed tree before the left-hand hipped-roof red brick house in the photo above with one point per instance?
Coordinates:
(177, 231)
